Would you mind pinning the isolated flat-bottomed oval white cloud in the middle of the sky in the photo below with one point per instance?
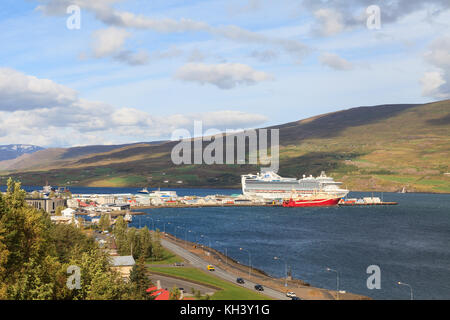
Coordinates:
(224, 76)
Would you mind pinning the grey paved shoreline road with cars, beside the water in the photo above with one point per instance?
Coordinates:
(201, 264)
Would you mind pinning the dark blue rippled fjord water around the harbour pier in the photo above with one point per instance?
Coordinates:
(410, 242)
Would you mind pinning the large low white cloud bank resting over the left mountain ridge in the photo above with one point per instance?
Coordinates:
(52, 115)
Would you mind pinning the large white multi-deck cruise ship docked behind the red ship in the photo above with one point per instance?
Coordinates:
(270, 185)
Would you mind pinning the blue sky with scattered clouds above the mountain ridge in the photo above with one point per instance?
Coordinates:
(82, 72)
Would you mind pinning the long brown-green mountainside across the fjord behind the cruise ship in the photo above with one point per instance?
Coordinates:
(379, 148)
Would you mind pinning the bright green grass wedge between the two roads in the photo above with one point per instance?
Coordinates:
(229, 291)
